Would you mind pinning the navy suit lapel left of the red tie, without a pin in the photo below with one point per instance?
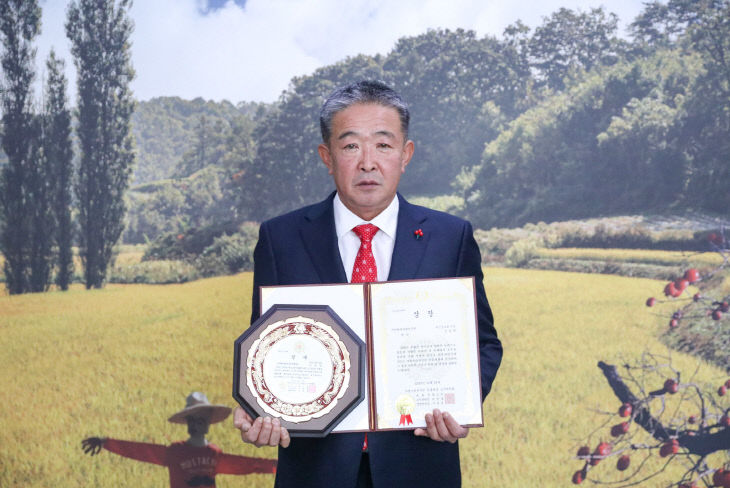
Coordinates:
(320, 240)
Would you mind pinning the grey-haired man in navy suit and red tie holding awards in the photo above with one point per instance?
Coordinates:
(366, 150)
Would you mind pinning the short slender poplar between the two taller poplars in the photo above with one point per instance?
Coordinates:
(59, 155)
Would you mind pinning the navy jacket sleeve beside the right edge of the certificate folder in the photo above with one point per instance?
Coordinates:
(490, 347)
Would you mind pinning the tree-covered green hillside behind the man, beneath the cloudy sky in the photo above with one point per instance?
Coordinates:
(564, 121)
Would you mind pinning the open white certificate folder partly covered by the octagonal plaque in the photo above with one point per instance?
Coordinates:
(422, 349)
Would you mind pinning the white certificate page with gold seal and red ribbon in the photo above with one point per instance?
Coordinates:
(425, 351)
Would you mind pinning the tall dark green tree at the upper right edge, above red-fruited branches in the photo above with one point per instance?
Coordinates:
(702, 27)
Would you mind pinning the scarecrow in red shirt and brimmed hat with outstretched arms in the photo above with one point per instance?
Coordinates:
(194, 462)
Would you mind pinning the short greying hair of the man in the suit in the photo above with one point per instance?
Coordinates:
(367, 91)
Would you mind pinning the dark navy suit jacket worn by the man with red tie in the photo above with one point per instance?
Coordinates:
(301, 248)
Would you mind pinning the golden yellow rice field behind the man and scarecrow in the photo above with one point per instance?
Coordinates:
(118, 362)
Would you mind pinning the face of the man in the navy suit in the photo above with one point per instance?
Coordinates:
(366, 155)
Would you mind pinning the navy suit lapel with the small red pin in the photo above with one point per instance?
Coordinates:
(408, 251)
